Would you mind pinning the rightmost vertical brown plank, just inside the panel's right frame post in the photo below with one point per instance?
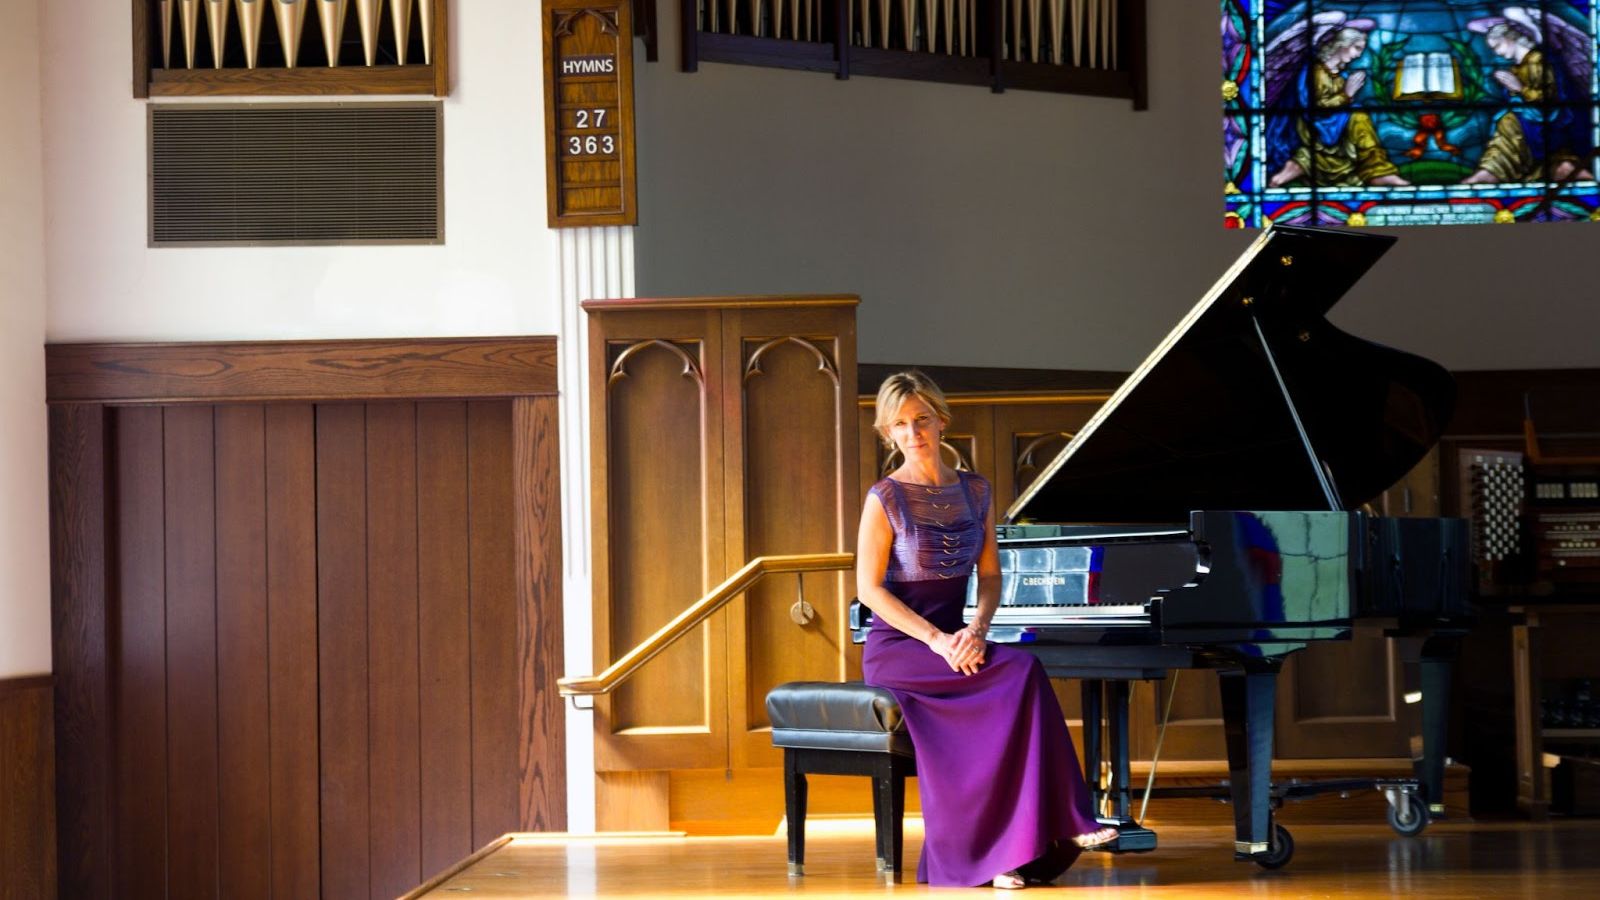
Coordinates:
(495, 792)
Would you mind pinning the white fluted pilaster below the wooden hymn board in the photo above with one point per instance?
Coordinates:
(598, 263)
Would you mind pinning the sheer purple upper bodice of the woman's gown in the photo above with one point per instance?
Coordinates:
(938, 529)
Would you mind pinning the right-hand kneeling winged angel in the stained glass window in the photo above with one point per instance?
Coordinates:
(1537, 139)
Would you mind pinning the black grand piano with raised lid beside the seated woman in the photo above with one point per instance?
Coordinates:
(1223, 481)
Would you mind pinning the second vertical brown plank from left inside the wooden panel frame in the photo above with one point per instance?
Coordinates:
(193, 818)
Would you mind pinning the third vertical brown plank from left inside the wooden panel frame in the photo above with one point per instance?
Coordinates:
(242, 669)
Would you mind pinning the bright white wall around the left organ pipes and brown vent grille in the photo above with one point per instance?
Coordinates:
(494, 276)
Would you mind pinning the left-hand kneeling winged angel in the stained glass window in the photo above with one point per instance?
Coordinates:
(1313, 134)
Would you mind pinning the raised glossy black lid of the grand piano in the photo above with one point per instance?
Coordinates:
(1202, 424)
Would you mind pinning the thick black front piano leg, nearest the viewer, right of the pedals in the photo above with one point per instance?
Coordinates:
(1247, 720)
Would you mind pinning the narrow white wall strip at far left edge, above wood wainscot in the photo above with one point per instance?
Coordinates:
(25, 523)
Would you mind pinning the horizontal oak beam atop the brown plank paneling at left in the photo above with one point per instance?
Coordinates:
(300, 371)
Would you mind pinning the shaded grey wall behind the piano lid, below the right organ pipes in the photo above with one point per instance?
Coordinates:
(1033, 230)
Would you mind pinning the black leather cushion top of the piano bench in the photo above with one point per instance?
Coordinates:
(823, 715)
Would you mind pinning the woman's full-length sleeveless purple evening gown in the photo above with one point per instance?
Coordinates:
(999, 779)
